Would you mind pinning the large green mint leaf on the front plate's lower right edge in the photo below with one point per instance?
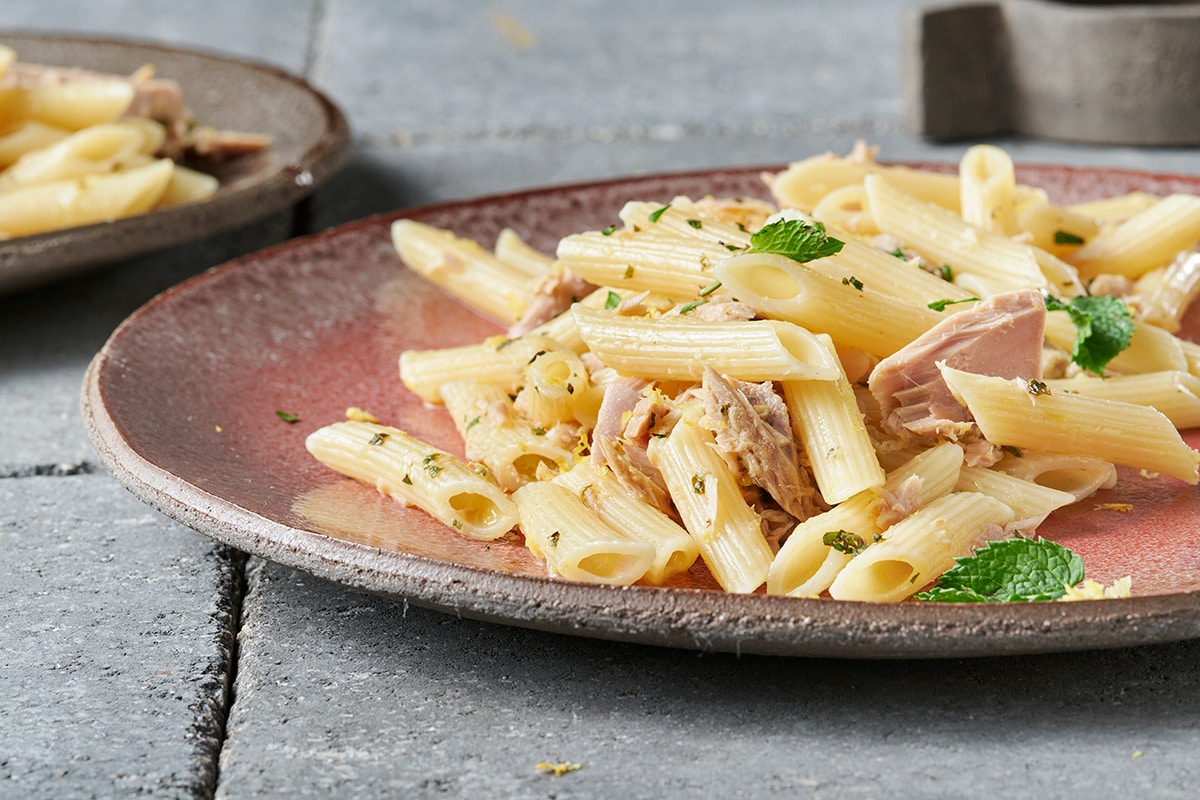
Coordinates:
(1016, 570)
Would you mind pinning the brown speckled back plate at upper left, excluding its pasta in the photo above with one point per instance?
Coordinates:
(310, 141)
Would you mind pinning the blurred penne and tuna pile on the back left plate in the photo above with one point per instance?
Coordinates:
(80, 148)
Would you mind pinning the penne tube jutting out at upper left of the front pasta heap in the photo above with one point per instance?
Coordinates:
(465, 269)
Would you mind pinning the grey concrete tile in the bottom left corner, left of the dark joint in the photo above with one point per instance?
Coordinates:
(117, 645)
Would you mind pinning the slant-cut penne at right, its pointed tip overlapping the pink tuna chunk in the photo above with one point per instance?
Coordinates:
(1125, 434)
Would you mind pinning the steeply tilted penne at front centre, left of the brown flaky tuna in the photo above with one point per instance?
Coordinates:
(710, 502)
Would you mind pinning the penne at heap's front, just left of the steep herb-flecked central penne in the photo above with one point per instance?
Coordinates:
(675, 549)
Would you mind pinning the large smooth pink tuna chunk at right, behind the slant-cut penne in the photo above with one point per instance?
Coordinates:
(1000, 338)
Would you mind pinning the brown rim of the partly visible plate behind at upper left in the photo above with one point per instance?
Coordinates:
(155, 231)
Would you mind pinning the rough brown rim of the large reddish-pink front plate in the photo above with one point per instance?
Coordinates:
(706, 621)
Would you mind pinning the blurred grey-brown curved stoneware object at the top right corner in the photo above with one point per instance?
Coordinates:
(1095, 73)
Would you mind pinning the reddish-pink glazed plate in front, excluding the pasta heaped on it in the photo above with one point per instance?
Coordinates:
(182, 405)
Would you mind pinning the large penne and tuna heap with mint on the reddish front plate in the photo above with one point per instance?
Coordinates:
(698, 394)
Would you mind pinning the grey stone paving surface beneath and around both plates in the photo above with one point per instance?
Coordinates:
(346, 695)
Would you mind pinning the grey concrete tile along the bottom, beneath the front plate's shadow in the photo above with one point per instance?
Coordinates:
(339, 689)
